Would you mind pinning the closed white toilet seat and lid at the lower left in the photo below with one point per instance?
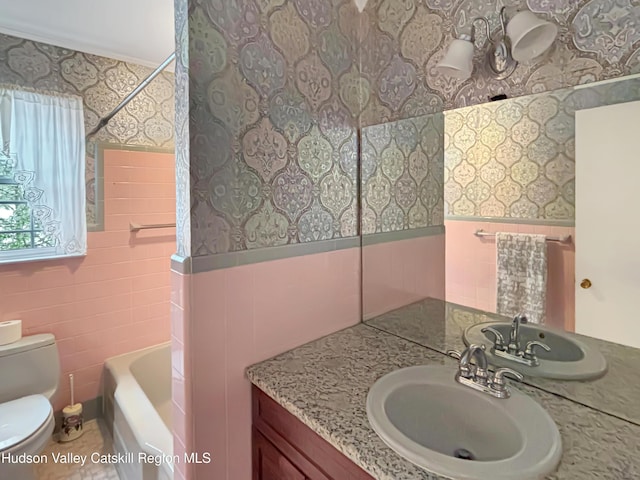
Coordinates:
(25, 424)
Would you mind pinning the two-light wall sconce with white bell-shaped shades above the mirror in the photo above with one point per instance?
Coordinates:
(522, 39)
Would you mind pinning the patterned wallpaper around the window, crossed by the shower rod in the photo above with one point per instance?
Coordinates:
(102, 83)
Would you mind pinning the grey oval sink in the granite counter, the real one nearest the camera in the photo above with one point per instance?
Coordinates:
(427, 417)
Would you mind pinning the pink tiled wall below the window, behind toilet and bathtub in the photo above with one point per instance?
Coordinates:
(116, 299)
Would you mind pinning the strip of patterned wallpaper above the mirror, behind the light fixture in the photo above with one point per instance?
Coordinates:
(403, 40)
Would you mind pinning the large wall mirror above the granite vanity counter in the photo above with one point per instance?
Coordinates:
(509, 166)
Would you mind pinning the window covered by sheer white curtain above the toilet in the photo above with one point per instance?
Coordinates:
(42, 190)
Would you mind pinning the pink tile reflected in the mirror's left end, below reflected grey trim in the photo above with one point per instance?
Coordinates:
(401, 272)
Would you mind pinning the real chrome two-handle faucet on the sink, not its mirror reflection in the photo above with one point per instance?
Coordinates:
(477, 376)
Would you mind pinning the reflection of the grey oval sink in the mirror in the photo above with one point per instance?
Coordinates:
(569, 357)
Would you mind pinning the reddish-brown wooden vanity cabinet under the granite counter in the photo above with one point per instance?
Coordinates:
(286, 449)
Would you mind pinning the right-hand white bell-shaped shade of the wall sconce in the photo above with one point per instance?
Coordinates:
(530, 36)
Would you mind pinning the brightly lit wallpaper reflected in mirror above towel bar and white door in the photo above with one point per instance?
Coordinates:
(516, 158)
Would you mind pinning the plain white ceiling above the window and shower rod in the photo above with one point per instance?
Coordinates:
(138, 31)
